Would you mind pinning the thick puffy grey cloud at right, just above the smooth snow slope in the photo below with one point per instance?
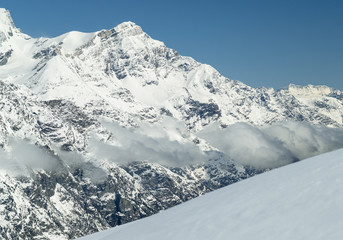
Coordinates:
(274, 145)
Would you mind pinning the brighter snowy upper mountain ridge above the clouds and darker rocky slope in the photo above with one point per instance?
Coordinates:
(124, 73)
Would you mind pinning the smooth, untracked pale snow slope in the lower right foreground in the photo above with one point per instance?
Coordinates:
(298, 201)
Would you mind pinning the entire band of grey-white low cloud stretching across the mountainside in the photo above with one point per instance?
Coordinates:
(168, 143)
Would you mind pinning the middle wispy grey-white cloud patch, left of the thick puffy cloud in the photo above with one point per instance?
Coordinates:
(163, 143)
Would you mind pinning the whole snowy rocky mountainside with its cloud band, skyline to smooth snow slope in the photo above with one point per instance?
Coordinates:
(100, 129)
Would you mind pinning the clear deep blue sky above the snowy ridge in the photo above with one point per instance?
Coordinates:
(261, 42)
